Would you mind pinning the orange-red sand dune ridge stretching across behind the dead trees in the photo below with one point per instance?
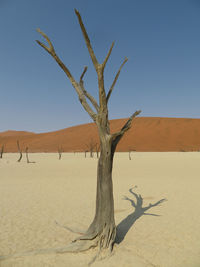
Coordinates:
(146, 134)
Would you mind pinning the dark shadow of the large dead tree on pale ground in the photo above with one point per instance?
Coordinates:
(124, 226)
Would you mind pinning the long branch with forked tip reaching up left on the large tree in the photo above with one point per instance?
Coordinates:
(76, 86)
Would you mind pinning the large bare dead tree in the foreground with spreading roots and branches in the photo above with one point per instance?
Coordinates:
(102, 230)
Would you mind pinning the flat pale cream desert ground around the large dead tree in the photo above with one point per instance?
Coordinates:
(33, 197)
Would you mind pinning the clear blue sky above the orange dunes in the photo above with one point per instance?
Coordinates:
(160, 38)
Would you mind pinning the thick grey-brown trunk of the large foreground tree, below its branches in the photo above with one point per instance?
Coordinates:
(103, 227)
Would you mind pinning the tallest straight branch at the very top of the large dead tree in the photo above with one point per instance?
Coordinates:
(87, 40)
